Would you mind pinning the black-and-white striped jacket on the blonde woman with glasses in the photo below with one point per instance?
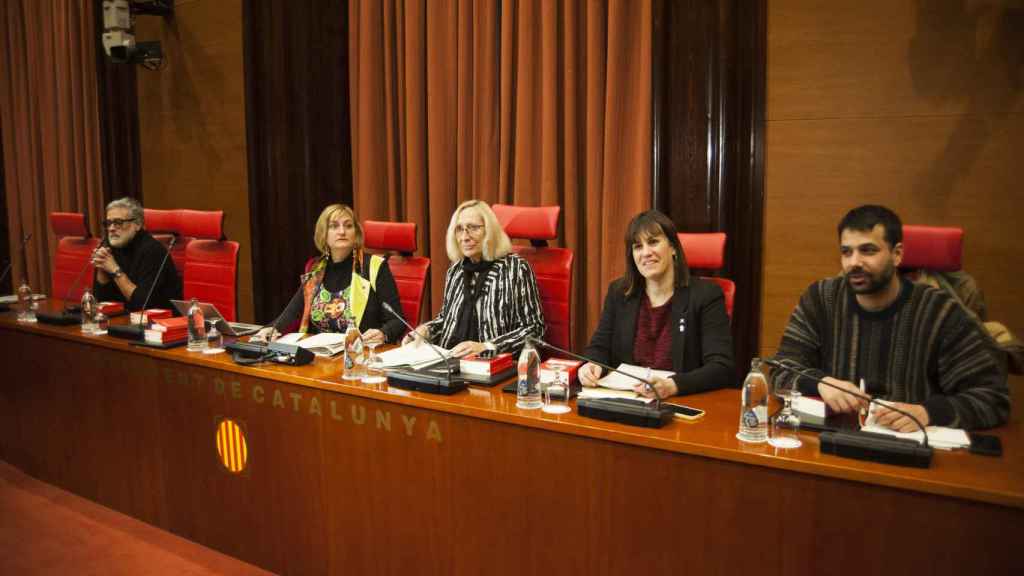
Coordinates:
(508, 311)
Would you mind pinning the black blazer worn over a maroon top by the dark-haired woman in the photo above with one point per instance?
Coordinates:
(702, 342)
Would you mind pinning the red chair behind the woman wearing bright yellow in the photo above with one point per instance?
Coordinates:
(410, 272)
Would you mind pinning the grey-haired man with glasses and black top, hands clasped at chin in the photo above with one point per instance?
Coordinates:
(129, 262)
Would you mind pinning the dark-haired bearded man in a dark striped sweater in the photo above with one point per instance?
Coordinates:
(909, 344)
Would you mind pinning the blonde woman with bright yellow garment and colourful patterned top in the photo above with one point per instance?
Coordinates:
(344, 285)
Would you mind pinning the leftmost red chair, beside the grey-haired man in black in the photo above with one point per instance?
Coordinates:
(71, 263)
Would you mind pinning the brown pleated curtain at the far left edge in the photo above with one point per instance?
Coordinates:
(50, 124)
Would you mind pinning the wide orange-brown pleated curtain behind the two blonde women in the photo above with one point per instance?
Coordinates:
(529, 102)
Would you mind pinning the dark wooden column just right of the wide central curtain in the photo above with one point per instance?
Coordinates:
(709, 76)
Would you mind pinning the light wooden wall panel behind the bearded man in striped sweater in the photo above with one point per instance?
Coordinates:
(910, 105)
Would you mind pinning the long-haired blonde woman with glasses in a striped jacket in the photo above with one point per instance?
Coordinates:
(491, 301)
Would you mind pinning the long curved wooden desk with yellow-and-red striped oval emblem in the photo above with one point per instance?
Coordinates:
(346, 479)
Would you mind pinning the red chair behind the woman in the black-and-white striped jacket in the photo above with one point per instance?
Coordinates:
(552, 267)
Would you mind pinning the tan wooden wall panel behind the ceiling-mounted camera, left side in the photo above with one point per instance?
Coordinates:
(192, 121)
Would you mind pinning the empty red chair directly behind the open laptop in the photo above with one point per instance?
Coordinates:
(211, 269)
